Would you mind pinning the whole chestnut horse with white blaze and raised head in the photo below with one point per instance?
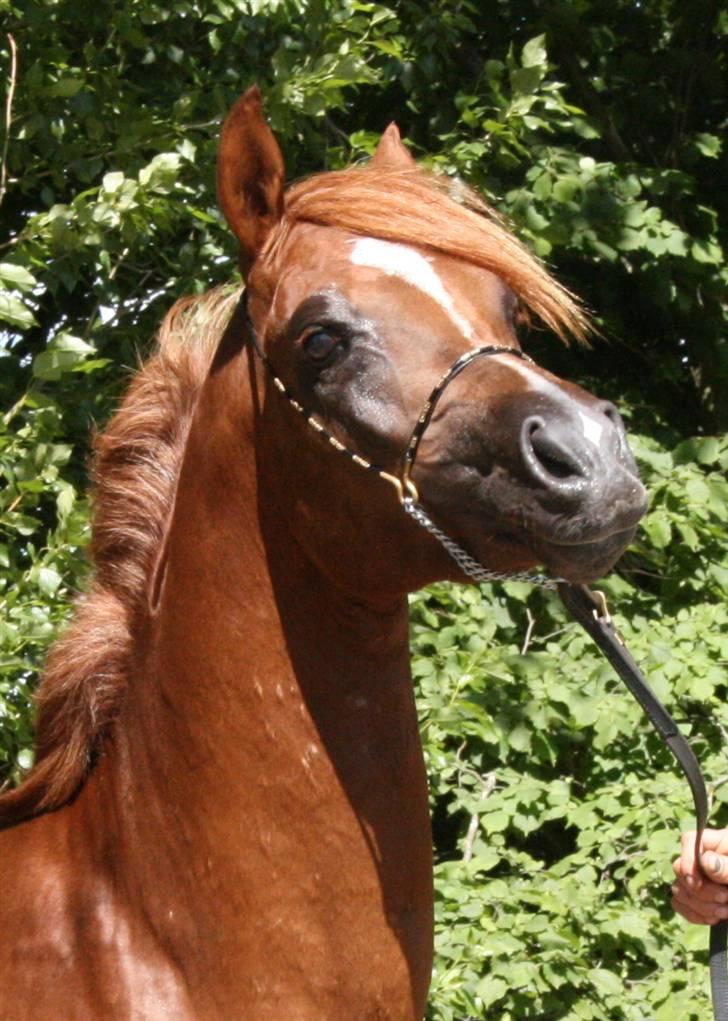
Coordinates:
(228, 816)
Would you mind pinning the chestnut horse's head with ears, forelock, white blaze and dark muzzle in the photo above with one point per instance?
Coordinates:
(365, 287)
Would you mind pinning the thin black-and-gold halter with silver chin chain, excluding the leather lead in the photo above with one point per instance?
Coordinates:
(406, 489)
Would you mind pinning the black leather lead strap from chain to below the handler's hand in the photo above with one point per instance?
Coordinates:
(590, 610)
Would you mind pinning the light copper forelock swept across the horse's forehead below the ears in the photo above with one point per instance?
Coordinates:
(414, 207)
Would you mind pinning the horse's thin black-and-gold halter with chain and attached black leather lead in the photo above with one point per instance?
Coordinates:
(588, 608)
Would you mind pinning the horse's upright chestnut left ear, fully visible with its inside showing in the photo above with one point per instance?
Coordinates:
(251, 176)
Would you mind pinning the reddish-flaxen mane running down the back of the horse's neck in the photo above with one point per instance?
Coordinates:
(136, 465)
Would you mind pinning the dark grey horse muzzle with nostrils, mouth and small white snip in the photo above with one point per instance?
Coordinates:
(557, 478)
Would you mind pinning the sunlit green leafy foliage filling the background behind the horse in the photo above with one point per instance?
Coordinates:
(596, 127)
